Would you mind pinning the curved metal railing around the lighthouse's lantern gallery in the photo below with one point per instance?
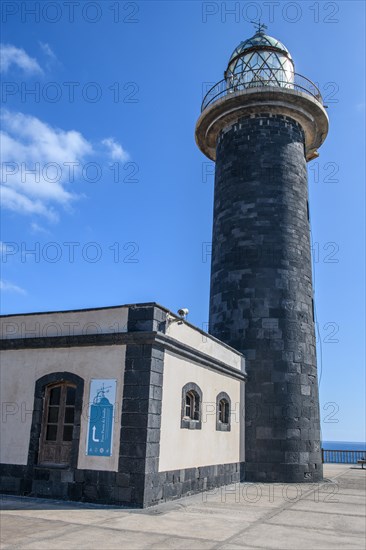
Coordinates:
(249, 80)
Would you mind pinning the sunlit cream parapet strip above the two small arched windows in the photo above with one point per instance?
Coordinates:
(204, 343)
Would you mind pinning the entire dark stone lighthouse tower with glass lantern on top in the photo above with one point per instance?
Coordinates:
(261, 124)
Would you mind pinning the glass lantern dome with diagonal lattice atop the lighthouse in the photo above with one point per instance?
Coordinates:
(260, 61)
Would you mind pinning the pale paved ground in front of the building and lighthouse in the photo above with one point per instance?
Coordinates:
(330, 515)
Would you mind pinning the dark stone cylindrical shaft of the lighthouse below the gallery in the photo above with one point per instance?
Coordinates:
(261, 292)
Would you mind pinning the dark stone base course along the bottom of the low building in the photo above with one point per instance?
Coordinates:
(116, 488)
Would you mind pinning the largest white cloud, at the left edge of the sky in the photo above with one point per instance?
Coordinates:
(38, 163)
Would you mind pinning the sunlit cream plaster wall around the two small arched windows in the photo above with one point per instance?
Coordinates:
(183, 448)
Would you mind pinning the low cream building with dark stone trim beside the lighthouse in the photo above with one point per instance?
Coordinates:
(128, 405)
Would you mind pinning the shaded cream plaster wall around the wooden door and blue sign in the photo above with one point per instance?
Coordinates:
(19, 371)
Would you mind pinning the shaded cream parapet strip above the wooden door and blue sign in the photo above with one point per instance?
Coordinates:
(65, 323)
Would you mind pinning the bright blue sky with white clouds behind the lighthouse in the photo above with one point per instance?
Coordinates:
(119, 209)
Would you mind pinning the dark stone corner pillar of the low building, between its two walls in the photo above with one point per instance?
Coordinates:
(141, 409)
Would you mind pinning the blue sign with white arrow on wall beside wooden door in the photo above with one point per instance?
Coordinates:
(101, 417)
